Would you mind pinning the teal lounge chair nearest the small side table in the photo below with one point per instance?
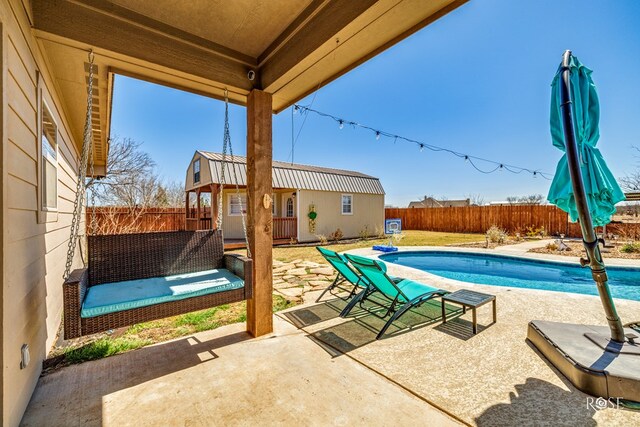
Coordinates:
(403, 295)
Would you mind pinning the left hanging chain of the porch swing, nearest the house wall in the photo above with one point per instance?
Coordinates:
(78, 202)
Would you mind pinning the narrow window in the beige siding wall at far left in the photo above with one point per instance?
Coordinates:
(49, 142)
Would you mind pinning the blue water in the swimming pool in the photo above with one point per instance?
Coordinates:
(497, 270)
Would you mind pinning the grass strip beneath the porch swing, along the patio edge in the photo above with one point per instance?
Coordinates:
(143, 334)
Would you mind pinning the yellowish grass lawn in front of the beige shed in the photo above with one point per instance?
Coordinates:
(411, 238)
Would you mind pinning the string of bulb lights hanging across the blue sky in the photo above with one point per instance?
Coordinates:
(498, 166)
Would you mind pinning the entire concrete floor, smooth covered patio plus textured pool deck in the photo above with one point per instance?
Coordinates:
(331, 371)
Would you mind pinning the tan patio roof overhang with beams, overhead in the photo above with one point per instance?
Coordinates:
(293, 47)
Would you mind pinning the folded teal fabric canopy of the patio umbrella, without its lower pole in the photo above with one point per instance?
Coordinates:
(602, 190)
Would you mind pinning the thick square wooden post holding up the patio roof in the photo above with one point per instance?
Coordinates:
(259, 218)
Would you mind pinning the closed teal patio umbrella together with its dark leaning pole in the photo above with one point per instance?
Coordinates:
(583, 185)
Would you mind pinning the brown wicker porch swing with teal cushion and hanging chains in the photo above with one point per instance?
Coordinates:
(134, 278)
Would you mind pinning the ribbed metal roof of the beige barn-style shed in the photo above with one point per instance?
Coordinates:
(292, 175)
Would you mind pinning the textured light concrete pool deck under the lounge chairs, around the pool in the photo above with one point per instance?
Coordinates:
(495, 378)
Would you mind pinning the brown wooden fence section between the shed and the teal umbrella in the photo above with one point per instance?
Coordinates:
(477, 219)
